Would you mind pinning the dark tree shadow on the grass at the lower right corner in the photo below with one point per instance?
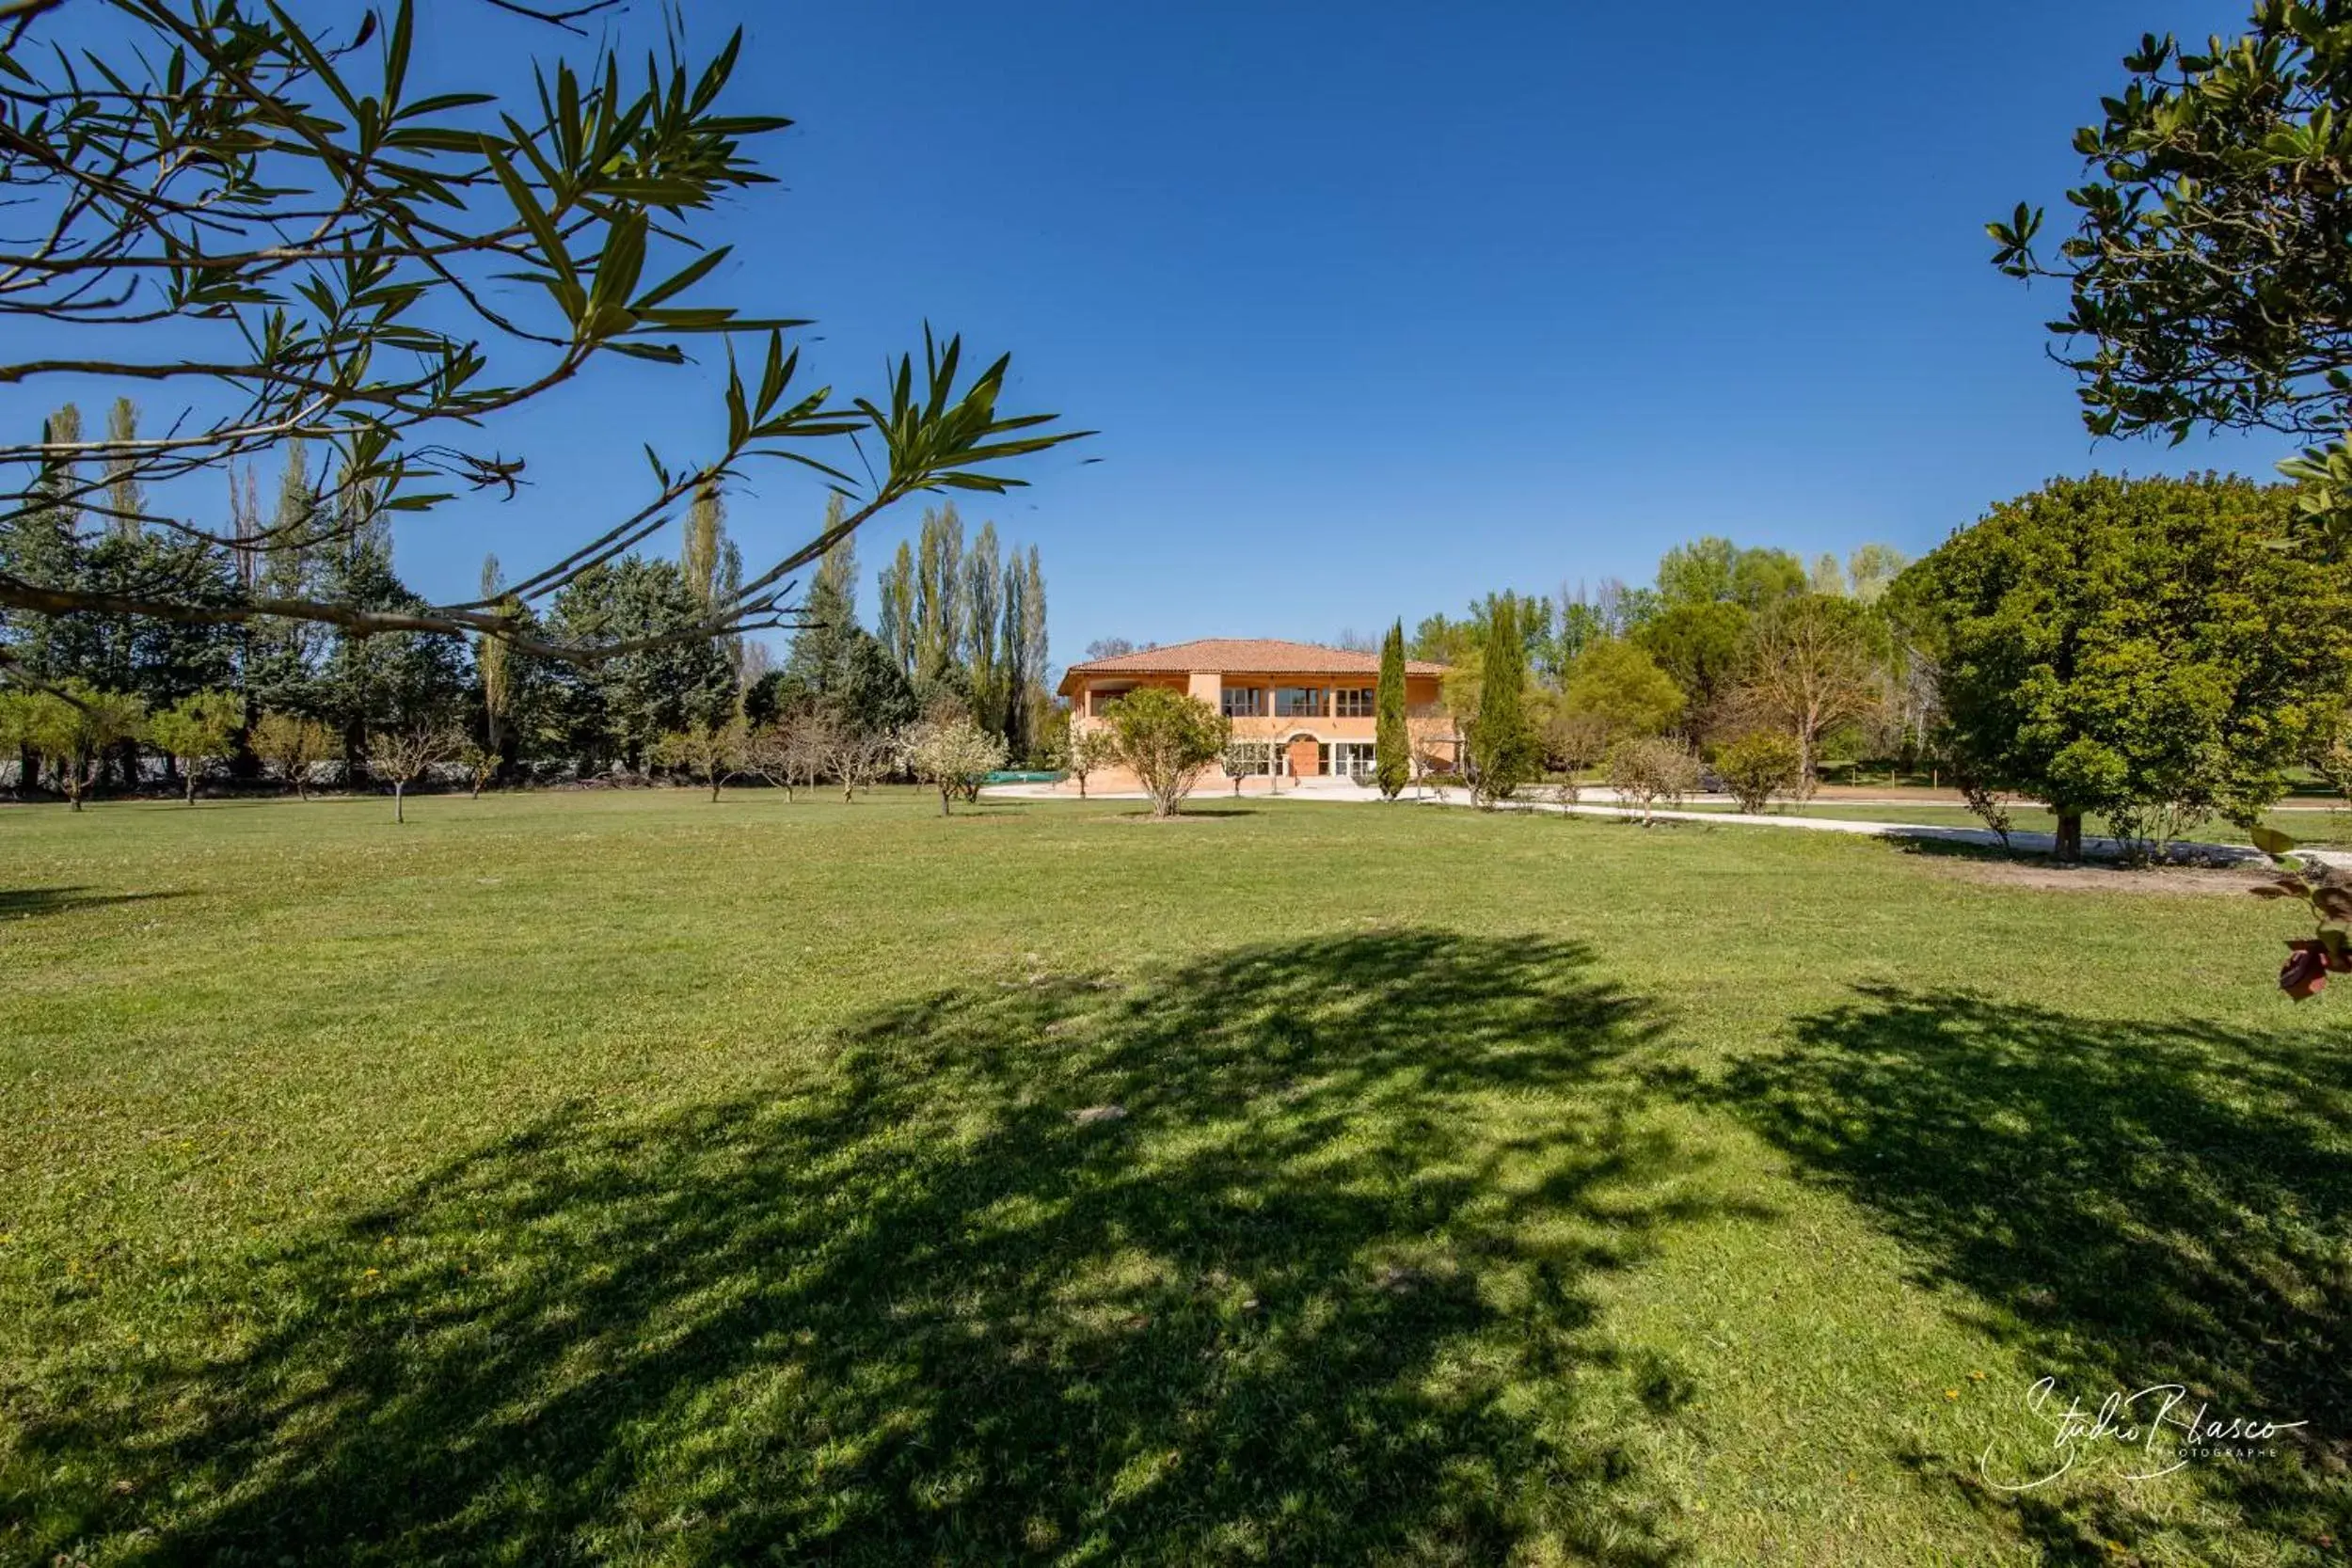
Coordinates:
(2132, 1205)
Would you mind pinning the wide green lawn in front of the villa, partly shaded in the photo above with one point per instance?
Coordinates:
(634, 1179)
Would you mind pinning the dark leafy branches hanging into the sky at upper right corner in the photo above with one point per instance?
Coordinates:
(2212, 267)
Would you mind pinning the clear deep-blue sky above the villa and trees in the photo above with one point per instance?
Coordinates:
(1384, 307)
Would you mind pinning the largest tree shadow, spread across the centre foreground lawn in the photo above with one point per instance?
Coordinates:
(1283, 1257)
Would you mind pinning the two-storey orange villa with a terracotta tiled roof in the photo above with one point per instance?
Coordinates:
(1302, 709)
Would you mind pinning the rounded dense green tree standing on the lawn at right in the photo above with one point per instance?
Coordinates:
(2125, 645)
